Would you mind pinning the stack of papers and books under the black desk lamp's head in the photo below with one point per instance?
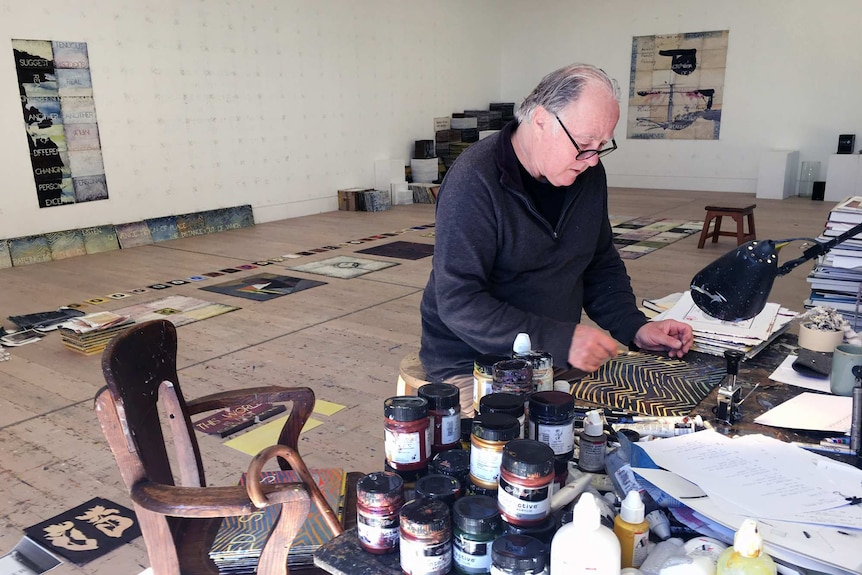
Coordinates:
(714, 336)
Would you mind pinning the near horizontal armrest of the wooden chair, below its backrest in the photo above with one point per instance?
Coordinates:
(208, 502)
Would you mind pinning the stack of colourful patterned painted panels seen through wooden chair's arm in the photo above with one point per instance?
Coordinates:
(239, 542)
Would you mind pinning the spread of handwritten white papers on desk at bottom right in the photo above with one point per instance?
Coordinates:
(803, 502)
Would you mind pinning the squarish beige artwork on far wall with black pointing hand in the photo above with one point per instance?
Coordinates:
(677, 86)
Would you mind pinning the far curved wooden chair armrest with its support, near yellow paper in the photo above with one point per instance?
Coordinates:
(301, 397)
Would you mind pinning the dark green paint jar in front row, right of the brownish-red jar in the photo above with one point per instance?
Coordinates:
(476, 523)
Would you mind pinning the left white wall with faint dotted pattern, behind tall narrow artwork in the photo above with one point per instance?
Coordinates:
(278, 103)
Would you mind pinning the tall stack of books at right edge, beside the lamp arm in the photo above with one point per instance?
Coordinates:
(836, 280)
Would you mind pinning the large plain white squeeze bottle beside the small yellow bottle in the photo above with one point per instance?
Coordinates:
(585, 546)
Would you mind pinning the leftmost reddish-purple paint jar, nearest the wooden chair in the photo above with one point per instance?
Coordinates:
(379, 498)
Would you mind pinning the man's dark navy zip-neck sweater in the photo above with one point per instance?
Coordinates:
(500, 268)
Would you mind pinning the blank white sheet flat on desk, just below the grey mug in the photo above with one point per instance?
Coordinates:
(811, 412)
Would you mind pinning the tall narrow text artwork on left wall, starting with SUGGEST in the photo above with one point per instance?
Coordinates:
(60, 119)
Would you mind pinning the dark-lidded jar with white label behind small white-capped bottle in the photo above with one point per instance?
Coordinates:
(552, 422)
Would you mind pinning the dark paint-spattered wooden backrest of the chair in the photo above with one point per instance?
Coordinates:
(135, 365)
